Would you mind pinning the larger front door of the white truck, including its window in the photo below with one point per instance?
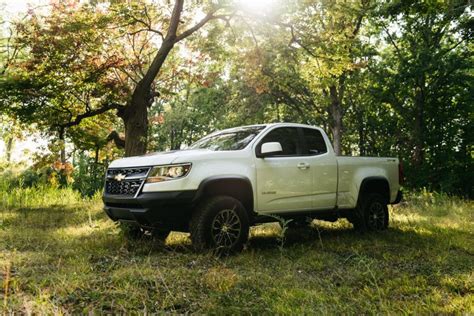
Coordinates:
(284, 180)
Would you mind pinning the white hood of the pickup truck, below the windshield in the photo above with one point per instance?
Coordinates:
(160, 158)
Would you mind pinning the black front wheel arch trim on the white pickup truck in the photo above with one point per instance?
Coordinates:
(238, 187)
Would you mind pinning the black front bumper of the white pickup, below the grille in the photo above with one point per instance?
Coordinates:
(152, 209)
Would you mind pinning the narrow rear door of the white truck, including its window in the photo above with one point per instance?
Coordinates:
(323, 165)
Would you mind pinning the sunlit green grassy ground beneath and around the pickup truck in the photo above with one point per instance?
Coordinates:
(60, 254)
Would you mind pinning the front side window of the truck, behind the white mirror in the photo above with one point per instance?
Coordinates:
(287, 137)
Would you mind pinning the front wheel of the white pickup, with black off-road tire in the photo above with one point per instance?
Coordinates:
(220, 223)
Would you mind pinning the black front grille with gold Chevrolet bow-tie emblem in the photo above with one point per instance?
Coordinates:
(125, 181)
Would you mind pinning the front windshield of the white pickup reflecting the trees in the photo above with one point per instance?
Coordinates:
(234, 139)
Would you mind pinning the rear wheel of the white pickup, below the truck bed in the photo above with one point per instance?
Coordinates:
(372, 214)
